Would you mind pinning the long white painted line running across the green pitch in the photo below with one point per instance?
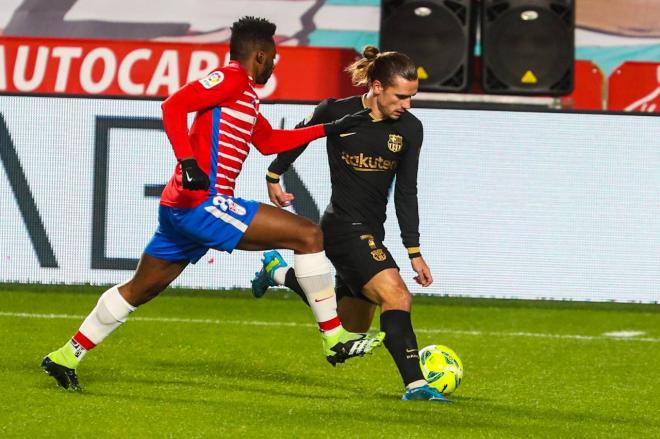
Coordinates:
(311, 325)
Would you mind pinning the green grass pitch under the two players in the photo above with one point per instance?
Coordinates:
(222, 364)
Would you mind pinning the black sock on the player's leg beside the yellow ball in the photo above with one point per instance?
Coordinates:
(400, 340)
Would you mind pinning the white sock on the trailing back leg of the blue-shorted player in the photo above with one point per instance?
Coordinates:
(109, 313)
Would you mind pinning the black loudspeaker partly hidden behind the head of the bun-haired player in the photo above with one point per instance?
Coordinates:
(436, 34)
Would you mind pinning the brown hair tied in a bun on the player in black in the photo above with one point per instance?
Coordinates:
(383, 67)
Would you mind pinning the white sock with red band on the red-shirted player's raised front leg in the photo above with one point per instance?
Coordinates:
(313, 275)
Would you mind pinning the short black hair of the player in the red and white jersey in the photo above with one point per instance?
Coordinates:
(248, 33)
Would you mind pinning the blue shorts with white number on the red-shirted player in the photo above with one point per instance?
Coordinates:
(187, 234)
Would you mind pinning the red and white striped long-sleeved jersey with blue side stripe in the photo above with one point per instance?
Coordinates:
(226, 123)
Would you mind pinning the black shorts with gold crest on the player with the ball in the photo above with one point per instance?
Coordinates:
(357, 252)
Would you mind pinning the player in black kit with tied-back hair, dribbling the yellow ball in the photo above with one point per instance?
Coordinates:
(363, 164)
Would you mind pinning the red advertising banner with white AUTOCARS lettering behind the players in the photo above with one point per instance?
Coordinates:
(157, 69)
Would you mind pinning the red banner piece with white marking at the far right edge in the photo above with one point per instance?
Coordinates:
(635, 86)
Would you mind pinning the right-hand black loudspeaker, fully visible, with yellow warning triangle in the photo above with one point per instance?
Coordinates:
(528, 46)
